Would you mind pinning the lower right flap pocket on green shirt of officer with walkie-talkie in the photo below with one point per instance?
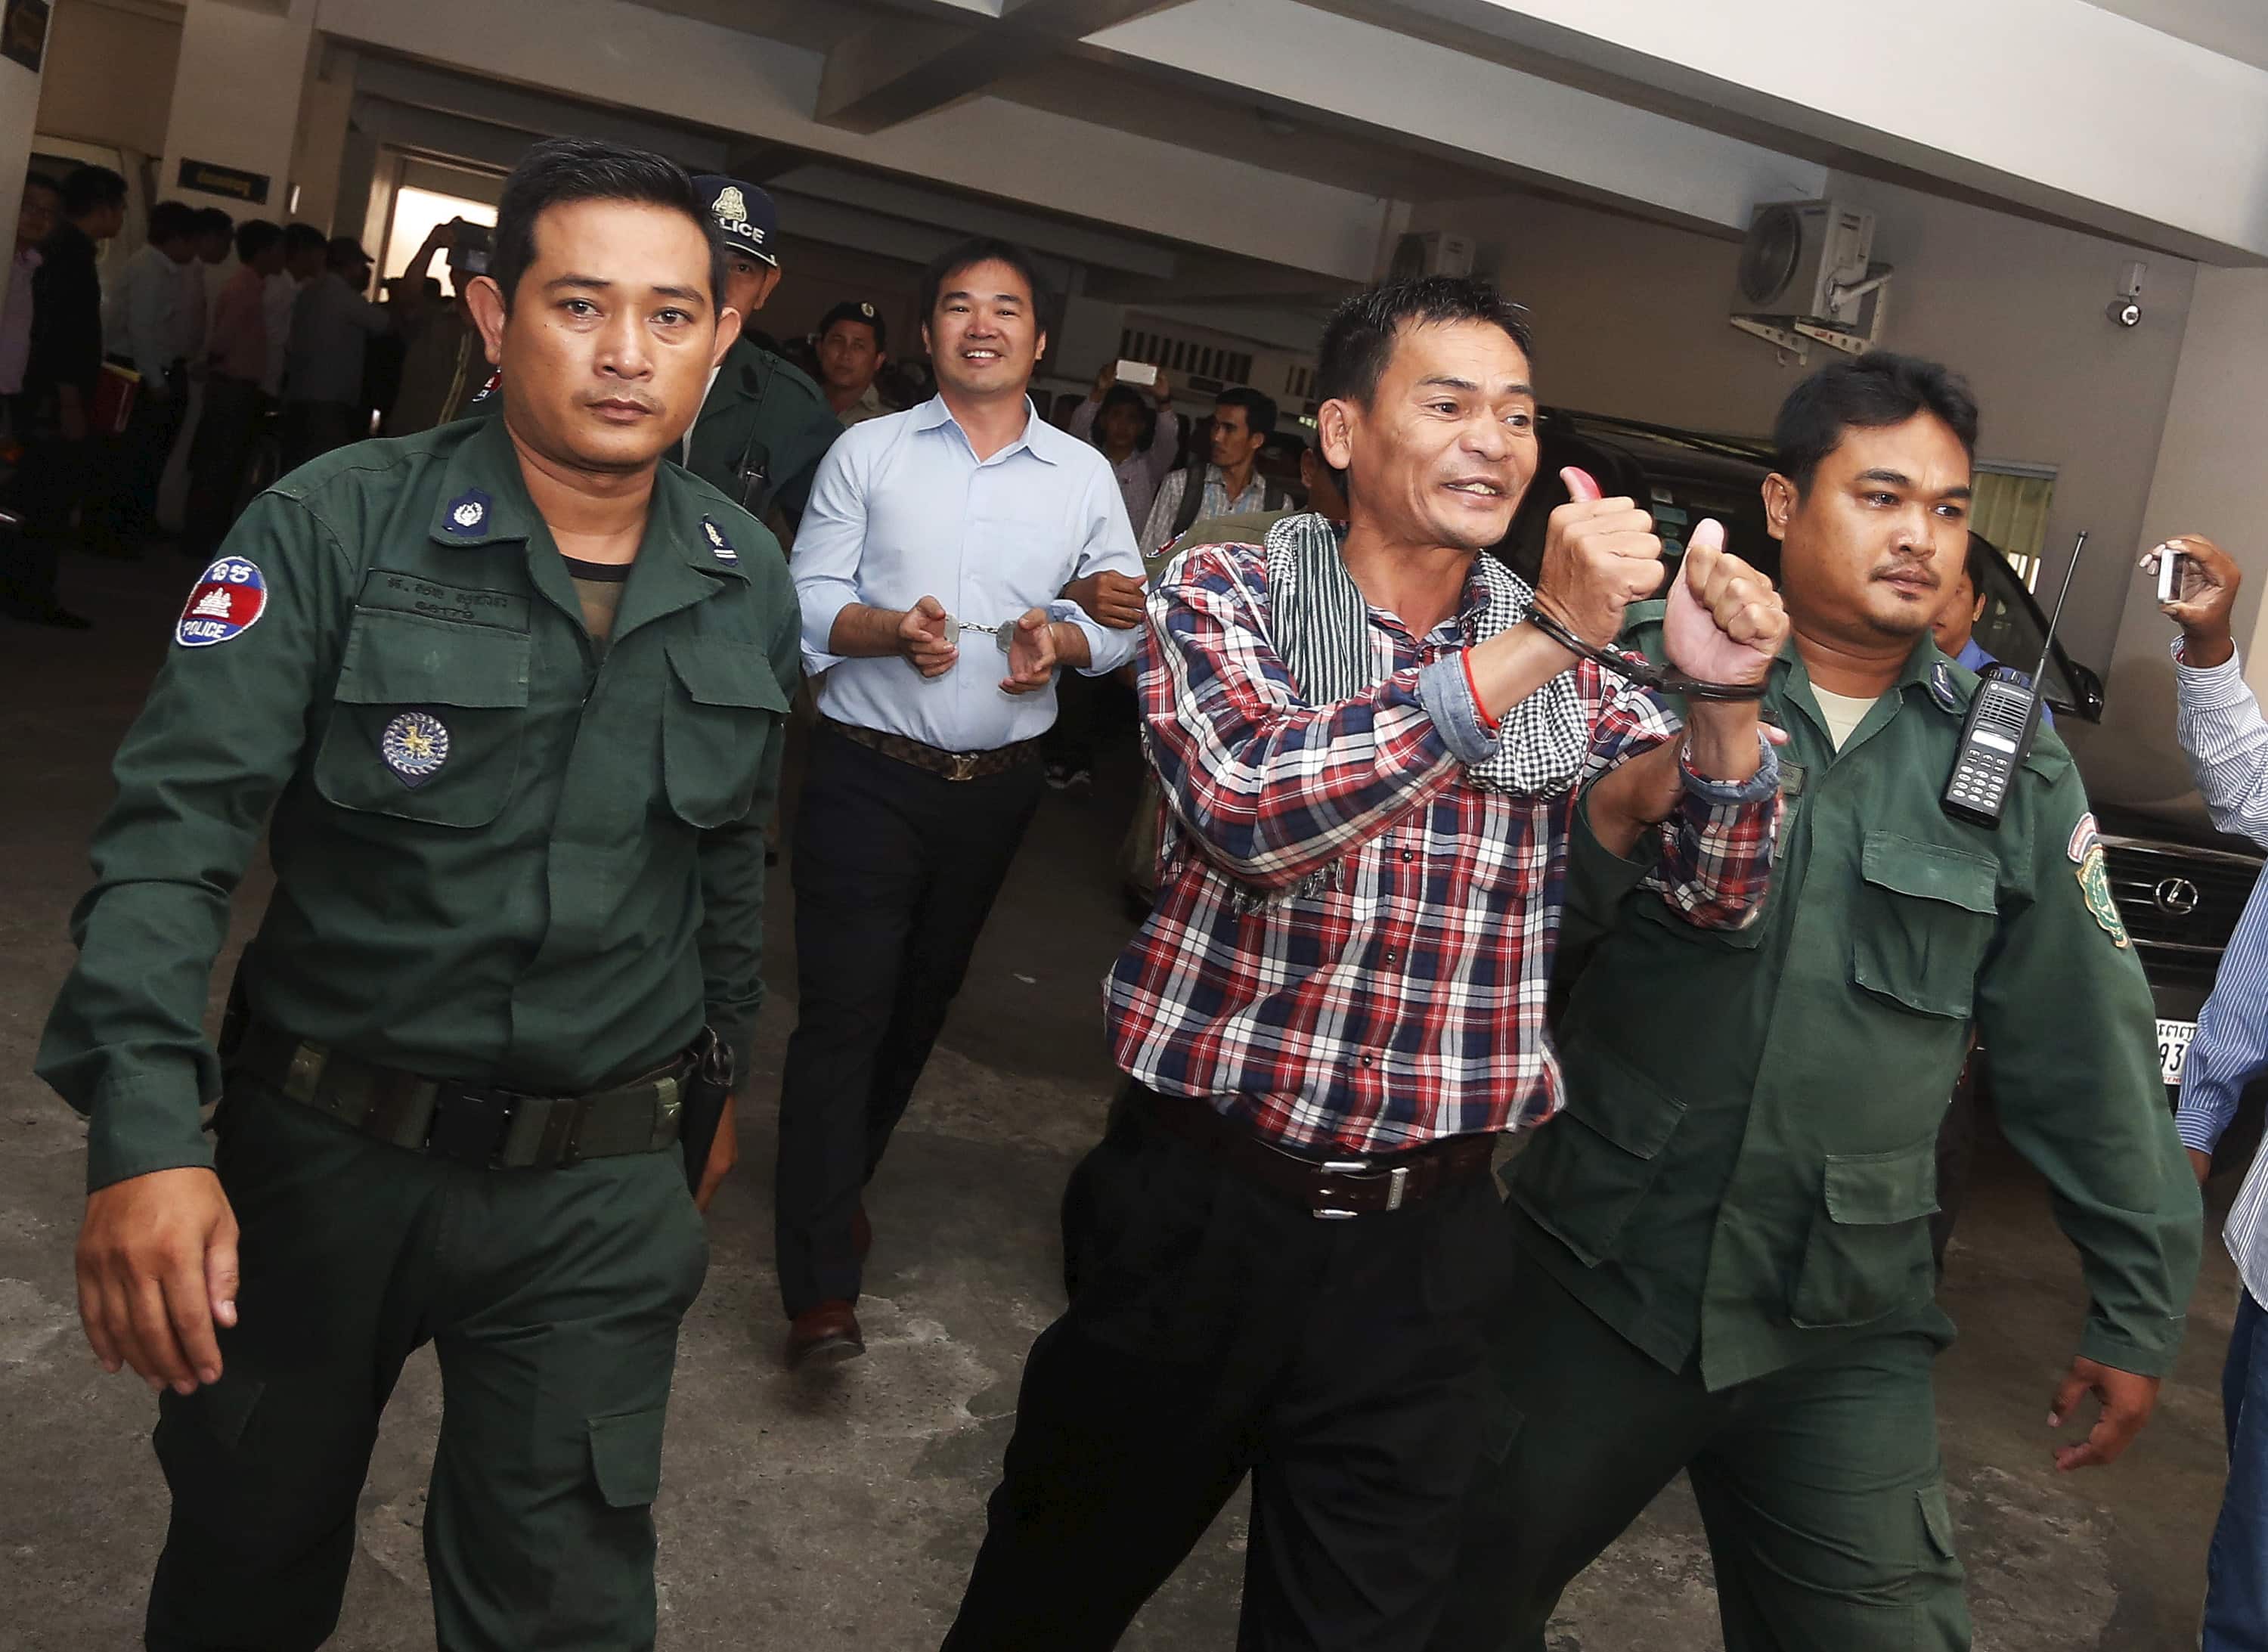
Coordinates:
(1870, 1247)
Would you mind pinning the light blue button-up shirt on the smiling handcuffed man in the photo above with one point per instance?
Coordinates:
(904, 509)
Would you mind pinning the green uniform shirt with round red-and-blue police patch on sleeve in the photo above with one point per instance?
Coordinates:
(500, 857)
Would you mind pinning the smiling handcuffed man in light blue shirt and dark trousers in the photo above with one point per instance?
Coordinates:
(929, 568)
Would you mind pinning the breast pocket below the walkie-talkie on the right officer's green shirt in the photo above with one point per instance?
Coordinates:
(1922, 925)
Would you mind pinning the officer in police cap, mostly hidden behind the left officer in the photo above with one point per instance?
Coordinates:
(765, 425)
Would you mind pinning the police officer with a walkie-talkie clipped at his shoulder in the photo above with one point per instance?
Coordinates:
(1725, 1247)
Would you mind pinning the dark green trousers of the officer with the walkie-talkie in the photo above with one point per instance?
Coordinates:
(1820, 1487)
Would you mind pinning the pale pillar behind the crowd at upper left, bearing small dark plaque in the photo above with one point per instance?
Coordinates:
(237, 101)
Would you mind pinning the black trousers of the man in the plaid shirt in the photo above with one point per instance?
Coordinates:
(1219, 1331)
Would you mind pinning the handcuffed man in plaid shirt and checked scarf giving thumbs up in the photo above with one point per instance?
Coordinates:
(1376, 748)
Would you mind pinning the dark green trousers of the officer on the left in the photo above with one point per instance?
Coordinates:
(552, 1299)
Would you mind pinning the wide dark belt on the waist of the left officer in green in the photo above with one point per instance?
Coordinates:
(475, 1124)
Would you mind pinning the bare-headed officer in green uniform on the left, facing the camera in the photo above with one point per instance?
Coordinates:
(509, 698)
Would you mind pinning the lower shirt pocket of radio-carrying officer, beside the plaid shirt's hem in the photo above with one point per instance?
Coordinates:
(1591, 1168)
